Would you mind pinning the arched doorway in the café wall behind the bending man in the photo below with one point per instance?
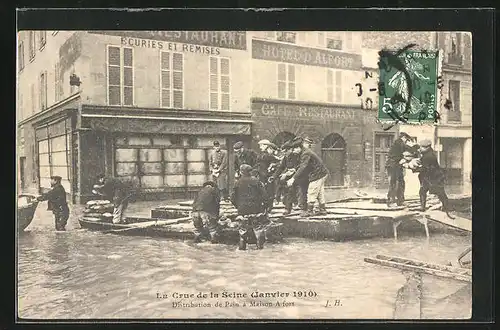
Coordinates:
(333, 149)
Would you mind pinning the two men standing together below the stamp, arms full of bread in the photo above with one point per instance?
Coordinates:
(420, 158)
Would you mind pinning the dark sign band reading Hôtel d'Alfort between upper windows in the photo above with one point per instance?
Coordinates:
(273, 51)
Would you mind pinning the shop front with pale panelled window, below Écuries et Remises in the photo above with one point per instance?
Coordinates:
(162, 155)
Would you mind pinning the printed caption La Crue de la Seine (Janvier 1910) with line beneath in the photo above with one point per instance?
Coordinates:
(226, 299)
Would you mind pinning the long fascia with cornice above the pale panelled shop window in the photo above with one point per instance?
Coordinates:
(166, 125)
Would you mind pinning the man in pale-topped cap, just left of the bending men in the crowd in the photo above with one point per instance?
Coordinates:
(266, 165)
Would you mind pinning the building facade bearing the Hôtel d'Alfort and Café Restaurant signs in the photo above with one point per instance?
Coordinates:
(306, 83)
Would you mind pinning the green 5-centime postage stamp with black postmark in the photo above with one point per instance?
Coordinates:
(408, 86)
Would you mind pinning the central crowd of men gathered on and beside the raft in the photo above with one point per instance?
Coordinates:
(293, 173)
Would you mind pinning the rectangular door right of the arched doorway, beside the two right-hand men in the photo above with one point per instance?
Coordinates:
(382, 145)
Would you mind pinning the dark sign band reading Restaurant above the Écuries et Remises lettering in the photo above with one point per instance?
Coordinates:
(222, 39)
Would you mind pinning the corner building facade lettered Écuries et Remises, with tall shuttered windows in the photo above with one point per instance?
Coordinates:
(143, 106)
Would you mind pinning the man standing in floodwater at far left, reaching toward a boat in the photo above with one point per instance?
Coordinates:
(57, 203)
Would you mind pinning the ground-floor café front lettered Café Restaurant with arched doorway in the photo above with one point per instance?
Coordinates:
(350, 141)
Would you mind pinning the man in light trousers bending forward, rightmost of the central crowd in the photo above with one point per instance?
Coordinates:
(313, 169)
